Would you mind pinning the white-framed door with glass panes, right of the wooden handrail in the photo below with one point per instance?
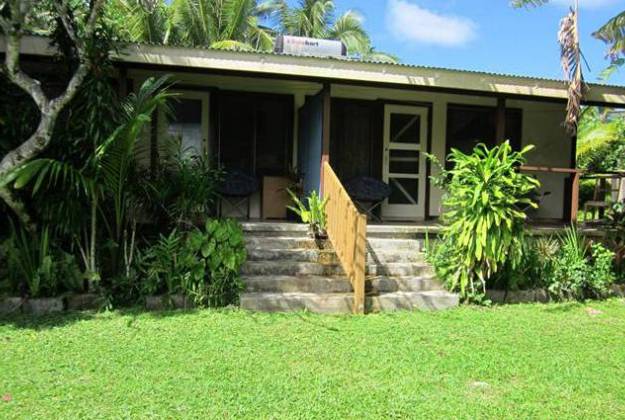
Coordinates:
(405, 134)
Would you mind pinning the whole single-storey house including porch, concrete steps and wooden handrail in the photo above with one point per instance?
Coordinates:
(334, 119)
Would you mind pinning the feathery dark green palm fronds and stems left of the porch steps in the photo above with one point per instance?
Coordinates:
(99, 184)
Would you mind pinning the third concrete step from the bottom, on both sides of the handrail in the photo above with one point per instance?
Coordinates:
(299, 268)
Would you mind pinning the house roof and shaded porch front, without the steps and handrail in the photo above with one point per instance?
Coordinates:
(267, 113)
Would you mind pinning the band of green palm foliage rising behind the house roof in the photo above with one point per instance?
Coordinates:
(238, 24)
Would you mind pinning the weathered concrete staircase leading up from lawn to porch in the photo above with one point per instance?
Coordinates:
(288, 271)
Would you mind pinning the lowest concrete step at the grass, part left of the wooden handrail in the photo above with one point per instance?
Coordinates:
(325, 303)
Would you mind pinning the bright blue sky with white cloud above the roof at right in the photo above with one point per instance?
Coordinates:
(486, 35)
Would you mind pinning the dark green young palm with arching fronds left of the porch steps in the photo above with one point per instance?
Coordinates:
(102, 180)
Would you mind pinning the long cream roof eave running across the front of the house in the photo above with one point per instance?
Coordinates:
(346, 70)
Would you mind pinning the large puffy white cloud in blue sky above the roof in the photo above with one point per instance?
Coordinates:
(410, 22)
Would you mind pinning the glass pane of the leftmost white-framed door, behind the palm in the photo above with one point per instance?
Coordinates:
(186, 126)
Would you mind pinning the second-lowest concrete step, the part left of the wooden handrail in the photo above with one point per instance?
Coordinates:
(295, 284)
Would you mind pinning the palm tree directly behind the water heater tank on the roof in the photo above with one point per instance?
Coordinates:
(315, 19)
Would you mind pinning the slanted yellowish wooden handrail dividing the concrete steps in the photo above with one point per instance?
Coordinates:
(347, 230)
